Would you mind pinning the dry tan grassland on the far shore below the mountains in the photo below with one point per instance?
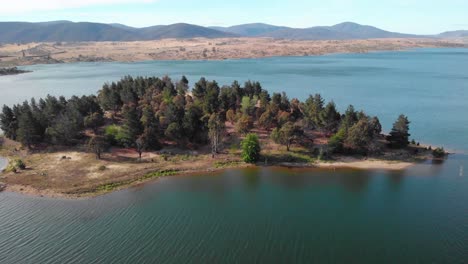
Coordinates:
(201, 49)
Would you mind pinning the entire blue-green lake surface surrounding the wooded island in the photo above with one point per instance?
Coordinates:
(269, 215)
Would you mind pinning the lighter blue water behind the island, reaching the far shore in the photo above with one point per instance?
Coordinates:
(428, 85)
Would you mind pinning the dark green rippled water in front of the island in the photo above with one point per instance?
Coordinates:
(245, 216)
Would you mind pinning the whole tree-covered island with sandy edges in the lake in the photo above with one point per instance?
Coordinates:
(143, 128)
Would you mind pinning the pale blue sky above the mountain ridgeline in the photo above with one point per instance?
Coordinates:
(405, 16)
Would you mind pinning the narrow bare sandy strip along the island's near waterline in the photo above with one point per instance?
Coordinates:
(341, 163)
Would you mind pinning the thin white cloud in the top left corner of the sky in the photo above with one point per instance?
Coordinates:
(21, 6)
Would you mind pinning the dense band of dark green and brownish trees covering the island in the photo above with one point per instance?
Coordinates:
(149, 112)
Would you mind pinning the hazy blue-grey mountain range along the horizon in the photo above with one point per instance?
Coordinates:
(67, 31)
